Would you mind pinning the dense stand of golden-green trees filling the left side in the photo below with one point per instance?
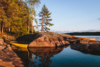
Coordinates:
(16, 16)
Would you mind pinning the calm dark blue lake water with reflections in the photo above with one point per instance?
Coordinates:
(68, 56)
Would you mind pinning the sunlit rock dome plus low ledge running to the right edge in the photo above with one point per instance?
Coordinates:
(56, 40)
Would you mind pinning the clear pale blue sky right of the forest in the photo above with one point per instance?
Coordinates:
(73, 15)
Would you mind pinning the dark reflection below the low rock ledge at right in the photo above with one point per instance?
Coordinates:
(87, 48)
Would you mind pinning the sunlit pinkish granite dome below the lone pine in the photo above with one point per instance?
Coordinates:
(49, 40)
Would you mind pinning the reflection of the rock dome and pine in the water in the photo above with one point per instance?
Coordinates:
(41, 57)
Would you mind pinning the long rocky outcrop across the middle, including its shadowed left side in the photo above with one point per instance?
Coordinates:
(49, 39)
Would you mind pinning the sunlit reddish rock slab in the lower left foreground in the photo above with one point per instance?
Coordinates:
(8, 58)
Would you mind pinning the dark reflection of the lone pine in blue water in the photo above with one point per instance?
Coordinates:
(44, 61)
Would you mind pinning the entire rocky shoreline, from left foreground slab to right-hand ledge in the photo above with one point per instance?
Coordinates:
(9, 58)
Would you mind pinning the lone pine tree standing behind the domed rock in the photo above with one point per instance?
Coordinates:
(45, 21)
